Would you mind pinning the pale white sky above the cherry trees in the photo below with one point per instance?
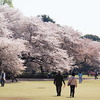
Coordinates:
(82, 15)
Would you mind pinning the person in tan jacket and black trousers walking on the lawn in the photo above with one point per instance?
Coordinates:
(72, 82)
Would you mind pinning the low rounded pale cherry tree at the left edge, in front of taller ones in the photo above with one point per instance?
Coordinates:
(9, 51)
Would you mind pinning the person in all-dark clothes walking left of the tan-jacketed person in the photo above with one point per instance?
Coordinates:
(58, 83)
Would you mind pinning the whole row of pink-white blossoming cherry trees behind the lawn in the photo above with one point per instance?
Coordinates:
(31, 44)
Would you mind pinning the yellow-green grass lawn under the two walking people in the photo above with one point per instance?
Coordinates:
(45, 90)
